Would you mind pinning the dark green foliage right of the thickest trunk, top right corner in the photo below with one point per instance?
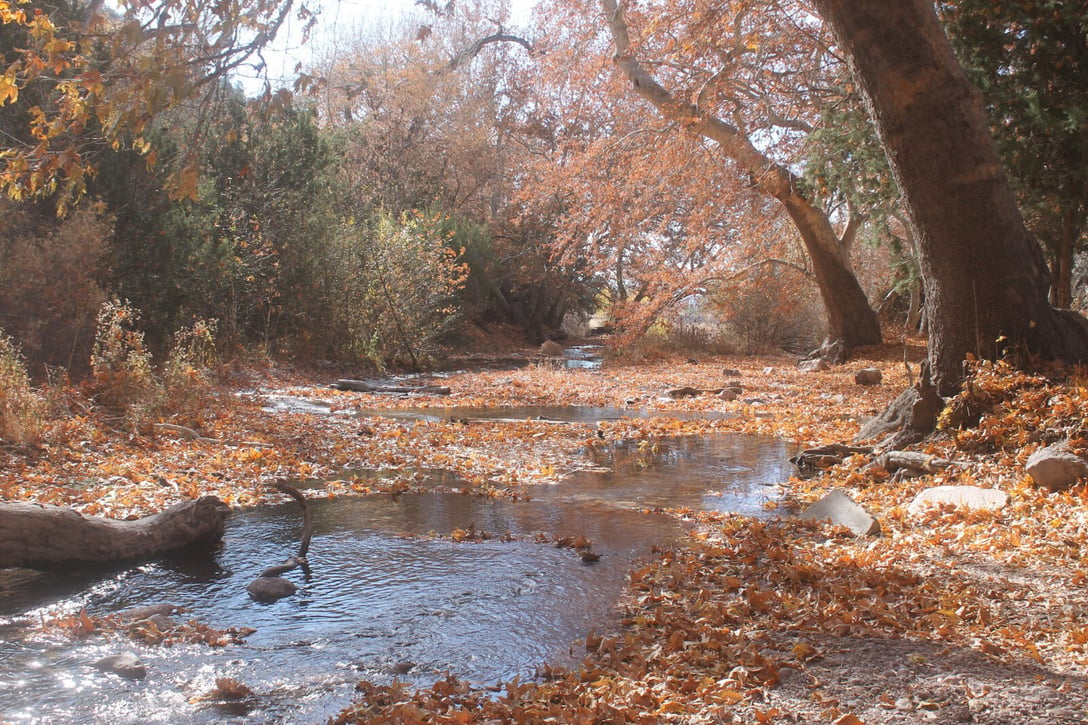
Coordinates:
(1031, 60)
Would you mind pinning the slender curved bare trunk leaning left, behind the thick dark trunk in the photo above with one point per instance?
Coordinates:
(851, 321)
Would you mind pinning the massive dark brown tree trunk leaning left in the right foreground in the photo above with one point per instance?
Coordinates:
(986, 281)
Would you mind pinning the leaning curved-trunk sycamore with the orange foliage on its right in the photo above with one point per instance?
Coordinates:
(749, 80)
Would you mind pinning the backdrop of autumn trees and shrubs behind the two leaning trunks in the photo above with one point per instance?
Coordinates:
(443, 171)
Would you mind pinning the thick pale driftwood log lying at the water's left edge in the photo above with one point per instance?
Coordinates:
(35, 536)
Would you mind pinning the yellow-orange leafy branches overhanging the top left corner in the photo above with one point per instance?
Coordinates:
(89, 78)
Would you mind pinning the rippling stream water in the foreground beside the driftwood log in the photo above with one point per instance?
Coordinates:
(389, 593)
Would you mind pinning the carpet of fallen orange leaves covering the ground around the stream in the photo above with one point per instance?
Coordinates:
(953, 616)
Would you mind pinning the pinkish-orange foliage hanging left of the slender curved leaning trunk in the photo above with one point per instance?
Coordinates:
(649, 211)
